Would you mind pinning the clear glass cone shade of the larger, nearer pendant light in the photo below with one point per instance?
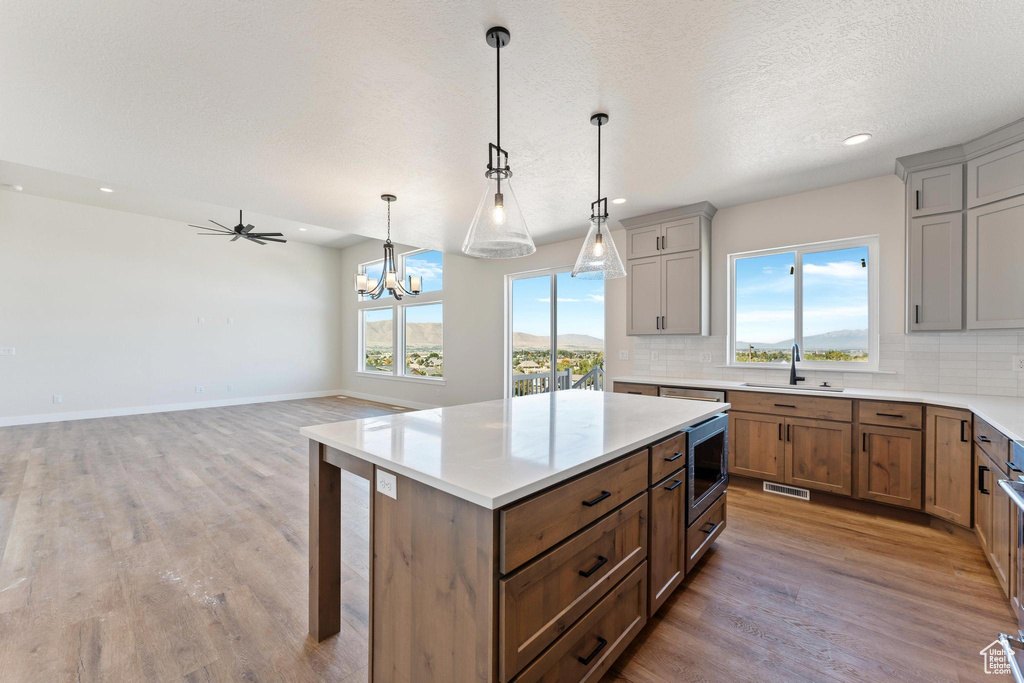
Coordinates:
(498, 231)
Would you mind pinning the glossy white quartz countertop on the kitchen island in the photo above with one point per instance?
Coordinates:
(498, 452)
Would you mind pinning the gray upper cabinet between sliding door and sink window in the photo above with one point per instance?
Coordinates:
(669, 272)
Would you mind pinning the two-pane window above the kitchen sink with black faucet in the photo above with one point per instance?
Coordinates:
(822, 296)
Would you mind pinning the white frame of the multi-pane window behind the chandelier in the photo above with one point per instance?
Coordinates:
(399, 323)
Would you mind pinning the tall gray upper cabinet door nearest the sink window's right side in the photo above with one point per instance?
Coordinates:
(936, 246)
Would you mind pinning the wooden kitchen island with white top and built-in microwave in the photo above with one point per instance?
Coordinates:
(509, 539)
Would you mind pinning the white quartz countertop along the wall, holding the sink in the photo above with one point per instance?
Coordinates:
(1004, 413)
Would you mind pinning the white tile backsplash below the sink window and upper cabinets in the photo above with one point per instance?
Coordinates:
(978, 363)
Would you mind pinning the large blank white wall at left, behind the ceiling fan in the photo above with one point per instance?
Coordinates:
(103, 309)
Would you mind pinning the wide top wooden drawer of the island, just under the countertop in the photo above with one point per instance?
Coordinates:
(530, 528)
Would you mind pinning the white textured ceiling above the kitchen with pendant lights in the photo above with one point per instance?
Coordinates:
(309, 111)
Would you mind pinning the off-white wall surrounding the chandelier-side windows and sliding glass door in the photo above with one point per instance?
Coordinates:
(475, 326)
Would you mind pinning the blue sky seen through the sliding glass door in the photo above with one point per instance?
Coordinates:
(581, 306)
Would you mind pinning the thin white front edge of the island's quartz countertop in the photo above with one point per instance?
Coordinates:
(521, 493)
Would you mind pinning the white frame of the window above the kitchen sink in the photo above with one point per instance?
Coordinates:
(874, 268)
